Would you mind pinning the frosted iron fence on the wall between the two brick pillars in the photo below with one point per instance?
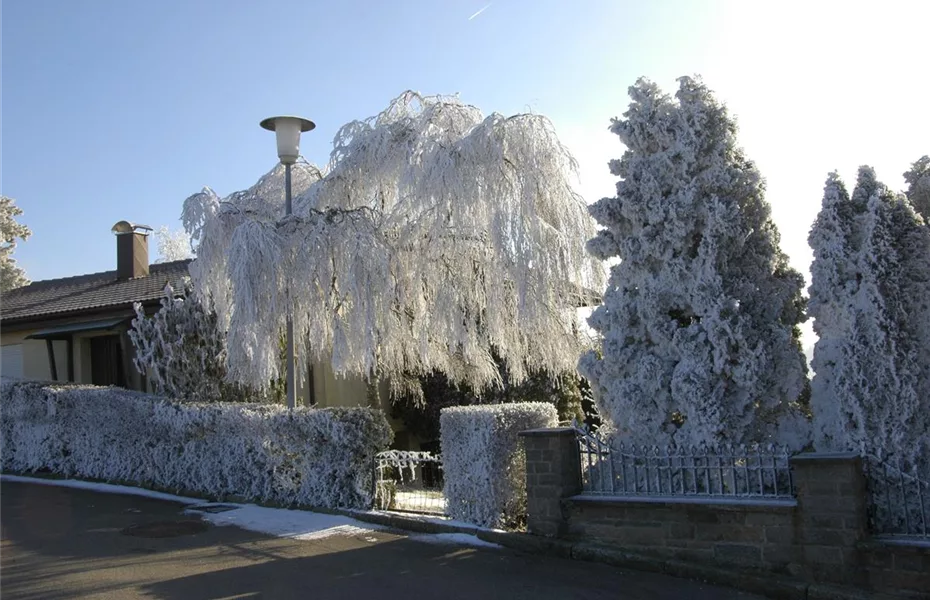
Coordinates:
(740, 472)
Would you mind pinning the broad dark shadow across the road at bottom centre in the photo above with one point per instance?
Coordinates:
(410, 569)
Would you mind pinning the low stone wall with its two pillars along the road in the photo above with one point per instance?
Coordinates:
(821, 537)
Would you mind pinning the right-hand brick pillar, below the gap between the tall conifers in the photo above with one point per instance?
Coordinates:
(832, 515)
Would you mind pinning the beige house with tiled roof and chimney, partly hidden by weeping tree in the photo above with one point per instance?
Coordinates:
(74, 329)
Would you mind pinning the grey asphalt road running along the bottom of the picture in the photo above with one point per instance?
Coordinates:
(58, 543)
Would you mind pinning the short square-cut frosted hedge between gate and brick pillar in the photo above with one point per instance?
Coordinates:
(483, 461)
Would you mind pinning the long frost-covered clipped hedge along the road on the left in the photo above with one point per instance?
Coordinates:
(261, 452)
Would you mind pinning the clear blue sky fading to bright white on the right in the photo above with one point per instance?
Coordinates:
(119, 110)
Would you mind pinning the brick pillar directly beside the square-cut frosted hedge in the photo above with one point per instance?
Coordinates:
(553, 472)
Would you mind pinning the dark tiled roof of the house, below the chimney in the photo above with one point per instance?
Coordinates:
(88, 293)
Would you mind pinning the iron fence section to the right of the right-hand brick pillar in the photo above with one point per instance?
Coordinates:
(899, 501)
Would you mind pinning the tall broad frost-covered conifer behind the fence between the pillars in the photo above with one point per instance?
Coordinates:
(700, 317)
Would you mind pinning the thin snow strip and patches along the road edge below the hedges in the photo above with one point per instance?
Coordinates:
(279, 522)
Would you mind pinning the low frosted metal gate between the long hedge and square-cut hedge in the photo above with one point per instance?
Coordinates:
(409, 481)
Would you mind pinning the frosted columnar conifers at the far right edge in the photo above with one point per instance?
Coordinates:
(870, 300)
